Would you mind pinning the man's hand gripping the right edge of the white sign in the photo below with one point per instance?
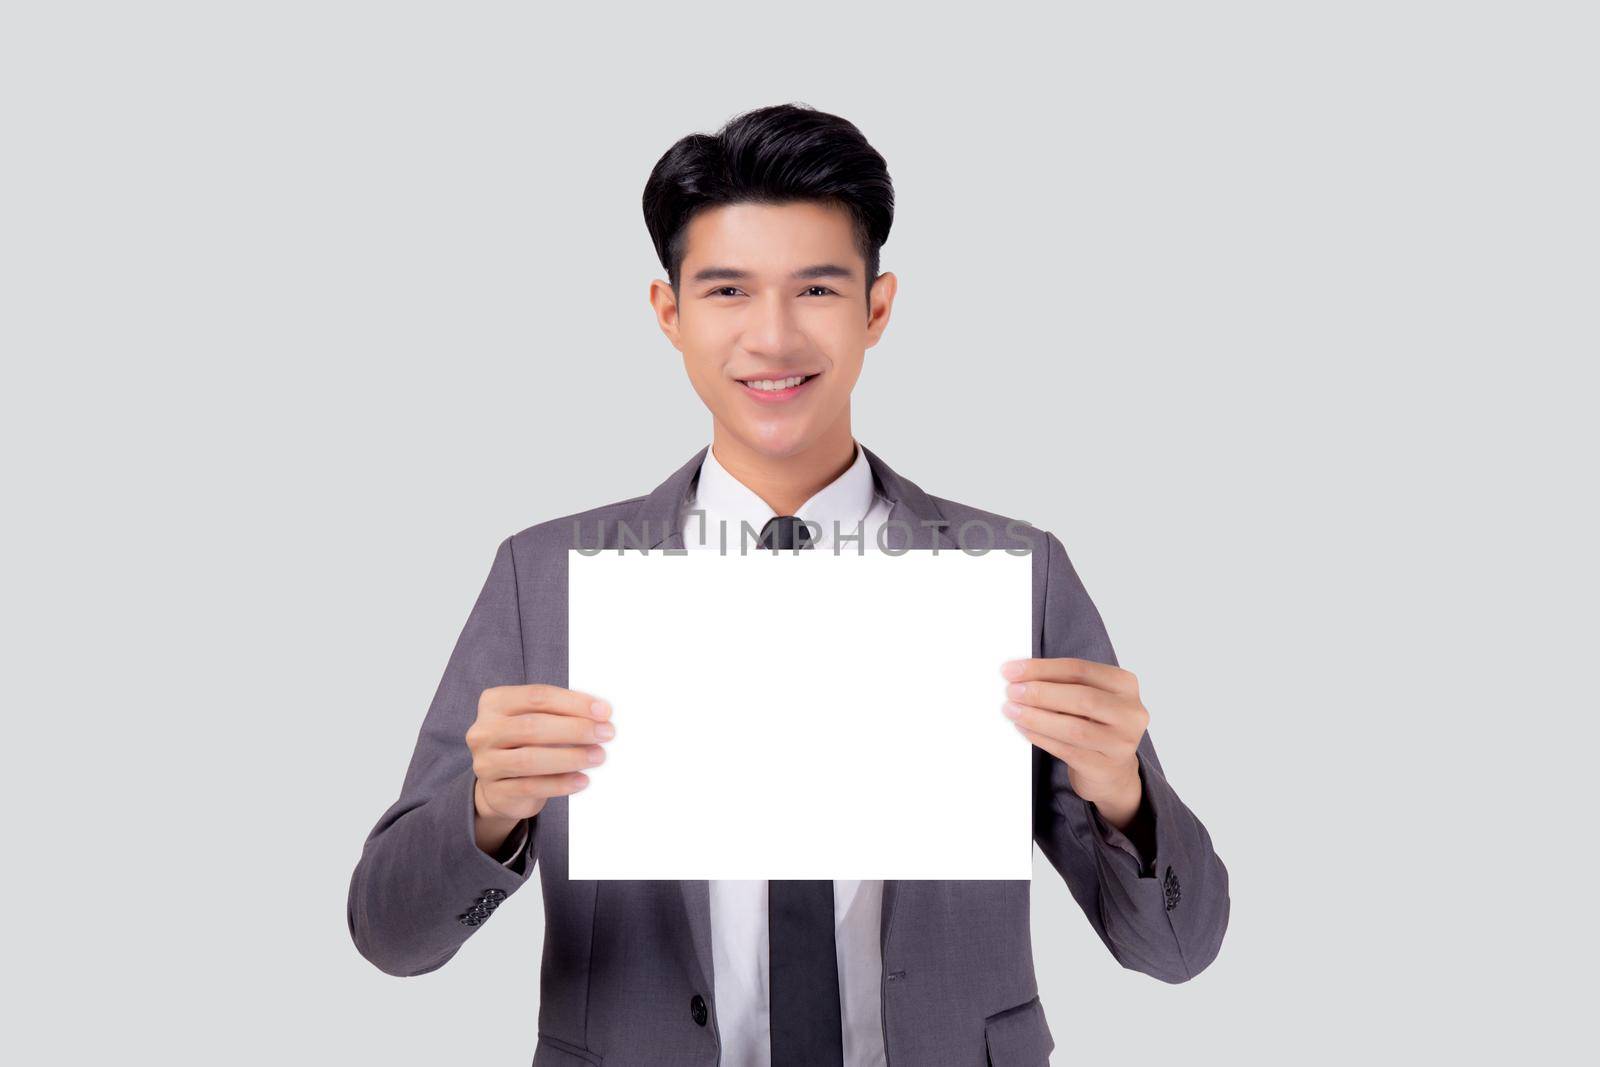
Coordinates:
(1090, 717)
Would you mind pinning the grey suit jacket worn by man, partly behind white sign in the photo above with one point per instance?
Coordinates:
(626, 970)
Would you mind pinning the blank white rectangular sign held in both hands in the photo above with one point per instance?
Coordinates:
(802, 716)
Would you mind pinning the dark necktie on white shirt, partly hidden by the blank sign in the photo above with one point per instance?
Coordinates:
(804, 962)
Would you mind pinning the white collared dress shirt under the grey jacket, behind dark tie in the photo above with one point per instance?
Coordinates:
(738, 909)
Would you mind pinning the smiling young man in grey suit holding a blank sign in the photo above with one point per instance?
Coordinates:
(770, 236)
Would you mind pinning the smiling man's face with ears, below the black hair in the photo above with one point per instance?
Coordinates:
(767, 295)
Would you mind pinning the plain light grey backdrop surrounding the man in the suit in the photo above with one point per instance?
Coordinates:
(1281, 316)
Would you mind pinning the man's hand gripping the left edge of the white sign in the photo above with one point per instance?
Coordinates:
(529, 745)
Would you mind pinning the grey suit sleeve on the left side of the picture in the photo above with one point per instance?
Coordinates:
(423, 885)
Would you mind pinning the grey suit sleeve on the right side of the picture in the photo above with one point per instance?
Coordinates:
(1166, 914)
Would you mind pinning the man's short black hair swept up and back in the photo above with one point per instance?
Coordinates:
(777, 154)
